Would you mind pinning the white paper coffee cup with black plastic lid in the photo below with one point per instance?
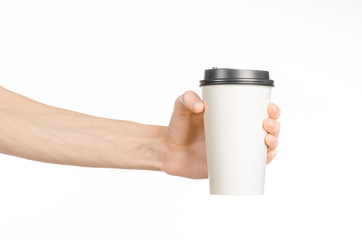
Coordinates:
(236, 104)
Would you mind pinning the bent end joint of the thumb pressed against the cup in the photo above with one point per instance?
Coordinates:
(189, 101)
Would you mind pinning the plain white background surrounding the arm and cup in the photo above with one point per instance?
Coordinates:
(131, 59)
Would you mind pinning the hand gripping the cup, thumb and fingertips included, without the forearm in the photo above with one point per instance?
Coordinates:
(185, 153)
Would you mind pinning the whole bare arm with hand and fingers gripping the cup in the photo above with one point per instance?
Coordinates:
(40, 132)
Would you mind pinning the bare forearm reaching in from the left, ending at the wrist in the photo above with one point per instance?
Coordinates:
(40, 132)
